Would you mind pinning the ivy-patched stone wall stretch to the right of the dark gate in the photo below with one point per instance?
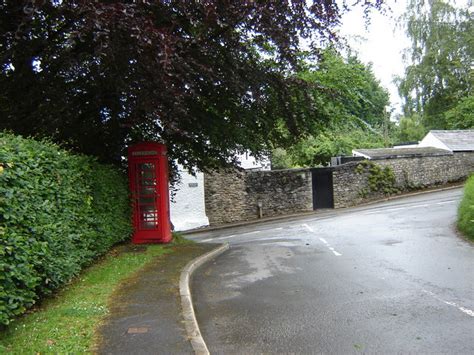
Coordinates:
(410, 173)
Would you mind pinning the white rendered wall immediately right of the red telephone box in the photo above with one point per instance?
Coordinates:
(188, 209)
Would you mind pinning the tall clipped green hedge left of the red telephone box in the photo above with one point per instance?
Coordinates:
(58, 211)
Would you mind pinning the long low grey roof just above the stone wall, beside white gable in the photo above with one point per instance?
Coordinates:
(392, 153)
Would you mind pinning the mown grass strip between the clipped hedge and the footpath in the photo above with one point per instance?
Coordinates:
(66, 322)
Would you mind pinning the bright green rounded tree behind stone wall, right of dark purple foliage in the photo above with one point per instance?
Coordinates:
(354, 103)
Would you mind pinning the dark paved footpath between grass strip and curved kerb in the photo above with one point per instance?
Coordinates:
(146, 316)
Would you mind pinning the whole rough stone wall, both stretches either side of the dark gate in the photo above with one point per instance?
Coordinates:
(232, 196)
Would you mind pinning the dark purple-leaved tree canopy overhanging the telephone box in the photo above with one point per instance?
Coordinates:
(208, 78)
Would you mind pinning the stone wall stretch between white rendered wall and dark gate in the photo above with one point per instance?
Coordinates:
(236, 195)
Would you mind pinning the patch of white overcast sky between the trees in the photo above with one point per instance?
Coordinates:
(381, 43)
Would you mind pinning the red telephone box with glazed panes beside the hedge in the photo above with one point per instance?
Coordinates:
(148, 176)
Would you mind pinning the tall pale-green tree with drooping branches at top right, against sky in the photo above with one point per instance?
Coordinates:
(441, 56)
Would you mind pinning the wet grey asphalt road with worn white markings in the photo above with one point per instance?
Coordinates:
(389, 278)
